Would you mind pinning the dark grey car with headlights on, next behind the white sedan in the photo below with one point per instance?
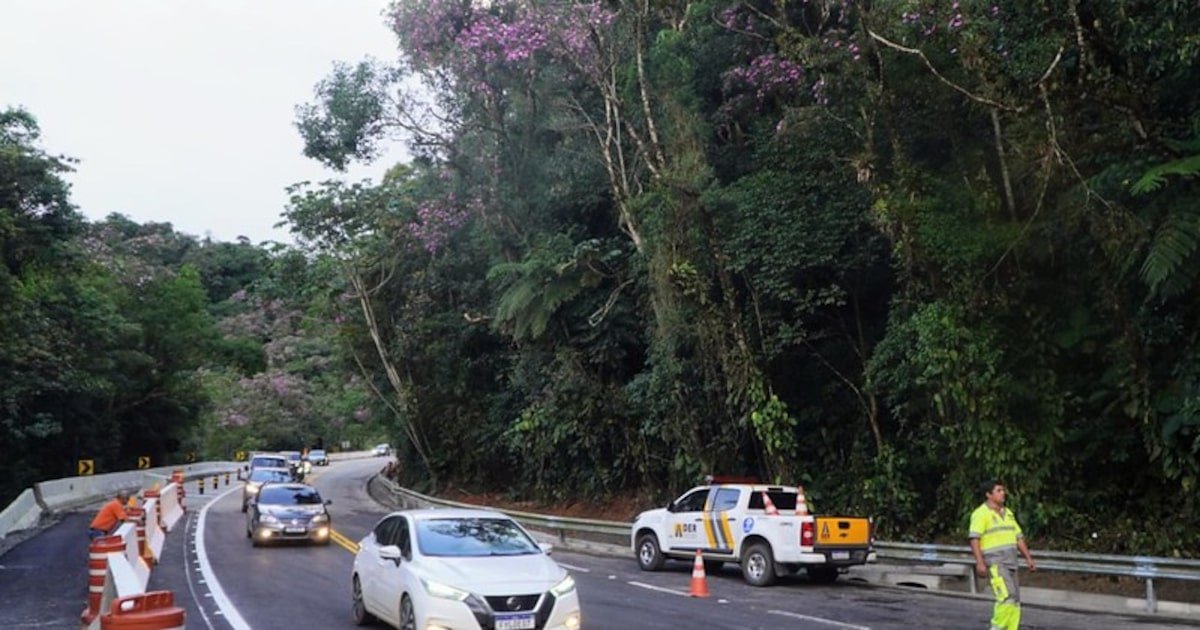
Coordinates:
(289, 512)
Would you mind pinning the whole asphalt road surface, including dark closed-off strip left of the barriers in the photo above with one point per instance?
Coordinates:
(229, 585)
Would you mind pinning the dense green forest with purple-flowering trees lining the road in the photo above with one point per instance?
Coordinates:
(881, 249)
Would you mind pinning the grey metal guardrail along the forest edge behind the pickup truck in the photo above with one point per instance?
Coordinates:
(1148, 568)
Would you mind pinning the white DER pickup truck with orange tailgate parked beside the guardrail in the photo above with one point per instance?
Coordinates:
(731, 523)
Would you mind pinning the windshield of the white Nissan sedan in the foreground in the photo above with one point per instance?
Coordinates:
(473, 538)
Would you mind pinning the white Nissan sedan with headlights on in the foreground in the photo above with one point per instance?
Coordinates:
(457, 568)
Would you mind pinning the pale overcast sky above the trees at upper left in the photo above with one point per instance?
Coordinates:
(183, 111)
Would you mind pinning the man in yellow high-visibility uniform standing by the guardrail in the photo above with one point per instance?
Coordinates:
(995, 541)
